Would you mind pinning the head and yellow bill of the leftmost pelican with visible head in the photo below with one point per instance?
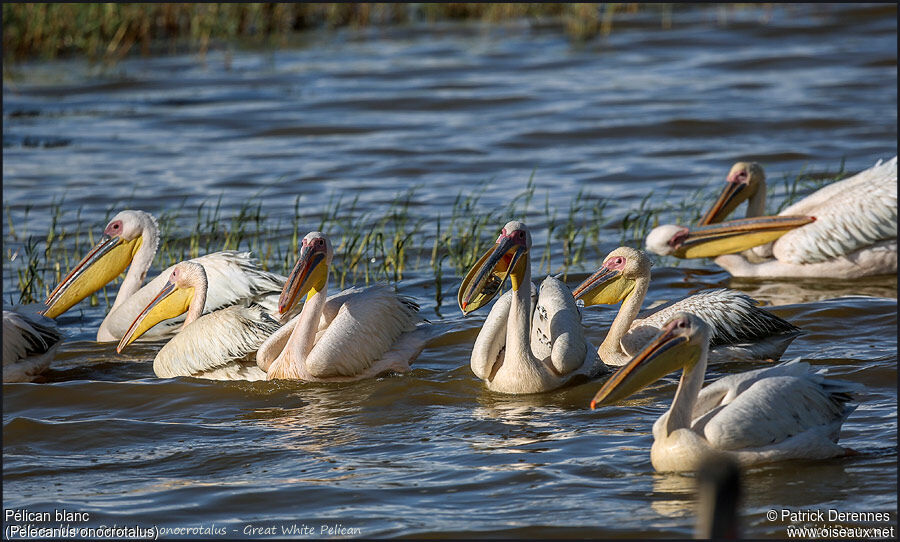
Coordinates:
(118, 245)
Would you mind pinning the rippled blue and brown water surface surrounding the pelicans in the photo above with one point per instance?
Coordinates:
(442, 110)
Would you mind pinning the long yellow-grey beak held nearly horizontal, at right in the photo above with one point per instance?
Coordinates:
(734, 235)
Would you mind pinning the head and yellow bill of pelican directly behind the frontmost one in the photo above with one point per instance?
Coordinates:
(616, 279)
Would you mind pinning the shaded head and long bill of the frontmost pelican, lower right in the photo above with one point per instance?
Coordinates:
(679, 344)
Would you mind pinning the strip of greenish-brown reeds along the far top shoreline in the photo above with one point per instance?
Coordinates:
(108, 31)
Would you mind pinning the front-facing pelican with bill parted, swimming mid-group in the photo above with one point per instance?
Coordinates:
(524, 347)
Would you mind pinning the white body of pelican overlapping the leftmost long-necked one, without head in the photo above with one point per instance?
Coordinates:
(218, 343)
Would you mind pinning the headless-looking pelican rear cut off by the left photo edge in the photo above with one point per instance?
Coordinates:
(29, 345)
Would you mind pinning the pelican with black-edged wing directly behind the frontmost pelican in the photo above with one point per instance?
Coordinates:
(741, 330)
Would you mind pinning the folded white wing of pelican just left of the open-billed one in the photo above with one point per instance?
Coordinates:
(365, 327)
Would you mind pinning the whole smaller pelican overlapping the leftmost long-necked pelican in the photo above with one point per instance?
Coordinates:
(219, 345)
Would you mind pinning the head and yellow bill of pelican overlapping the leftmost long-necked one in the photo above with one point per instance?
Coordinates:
(172, 301)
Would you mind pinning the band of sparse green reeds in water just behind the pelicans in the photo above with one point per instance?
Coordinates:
(375, 246)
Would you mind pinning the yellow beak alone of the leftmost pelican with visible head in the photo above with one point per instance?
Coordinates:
(106, 261)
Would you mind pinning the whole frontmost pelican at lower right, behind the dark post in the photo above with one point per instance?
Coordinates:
(772, 414)
